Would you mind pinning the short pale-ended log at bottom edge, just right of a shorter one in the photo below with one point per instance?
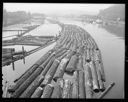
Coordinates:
(47, 91)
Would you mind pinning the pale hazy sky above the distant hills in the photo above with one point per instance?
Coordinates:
(56, 8)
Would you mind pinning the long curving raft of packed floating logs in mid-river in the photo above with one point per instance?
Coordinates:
(76, 54)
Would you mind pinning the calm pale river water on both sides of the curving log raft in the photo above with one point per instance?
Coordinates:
(111, 46)
